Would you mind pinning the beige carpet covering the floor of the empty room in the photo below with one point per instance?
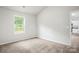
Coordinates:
(36, 45)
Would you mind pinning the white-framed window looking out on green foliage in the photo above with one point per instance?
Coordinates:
(19, 24)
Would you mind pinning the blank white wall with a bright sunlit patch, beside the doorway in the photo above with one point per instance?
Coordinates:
(54, 24)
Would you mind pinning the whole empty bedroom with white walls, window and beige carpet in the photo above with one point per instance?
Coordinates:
(39, 29)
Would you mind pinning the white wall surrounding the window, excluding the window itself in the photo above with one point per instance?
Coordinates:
(7, 34)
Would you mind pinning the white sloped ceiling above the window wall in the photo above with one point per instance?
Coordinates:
(27, 9)
